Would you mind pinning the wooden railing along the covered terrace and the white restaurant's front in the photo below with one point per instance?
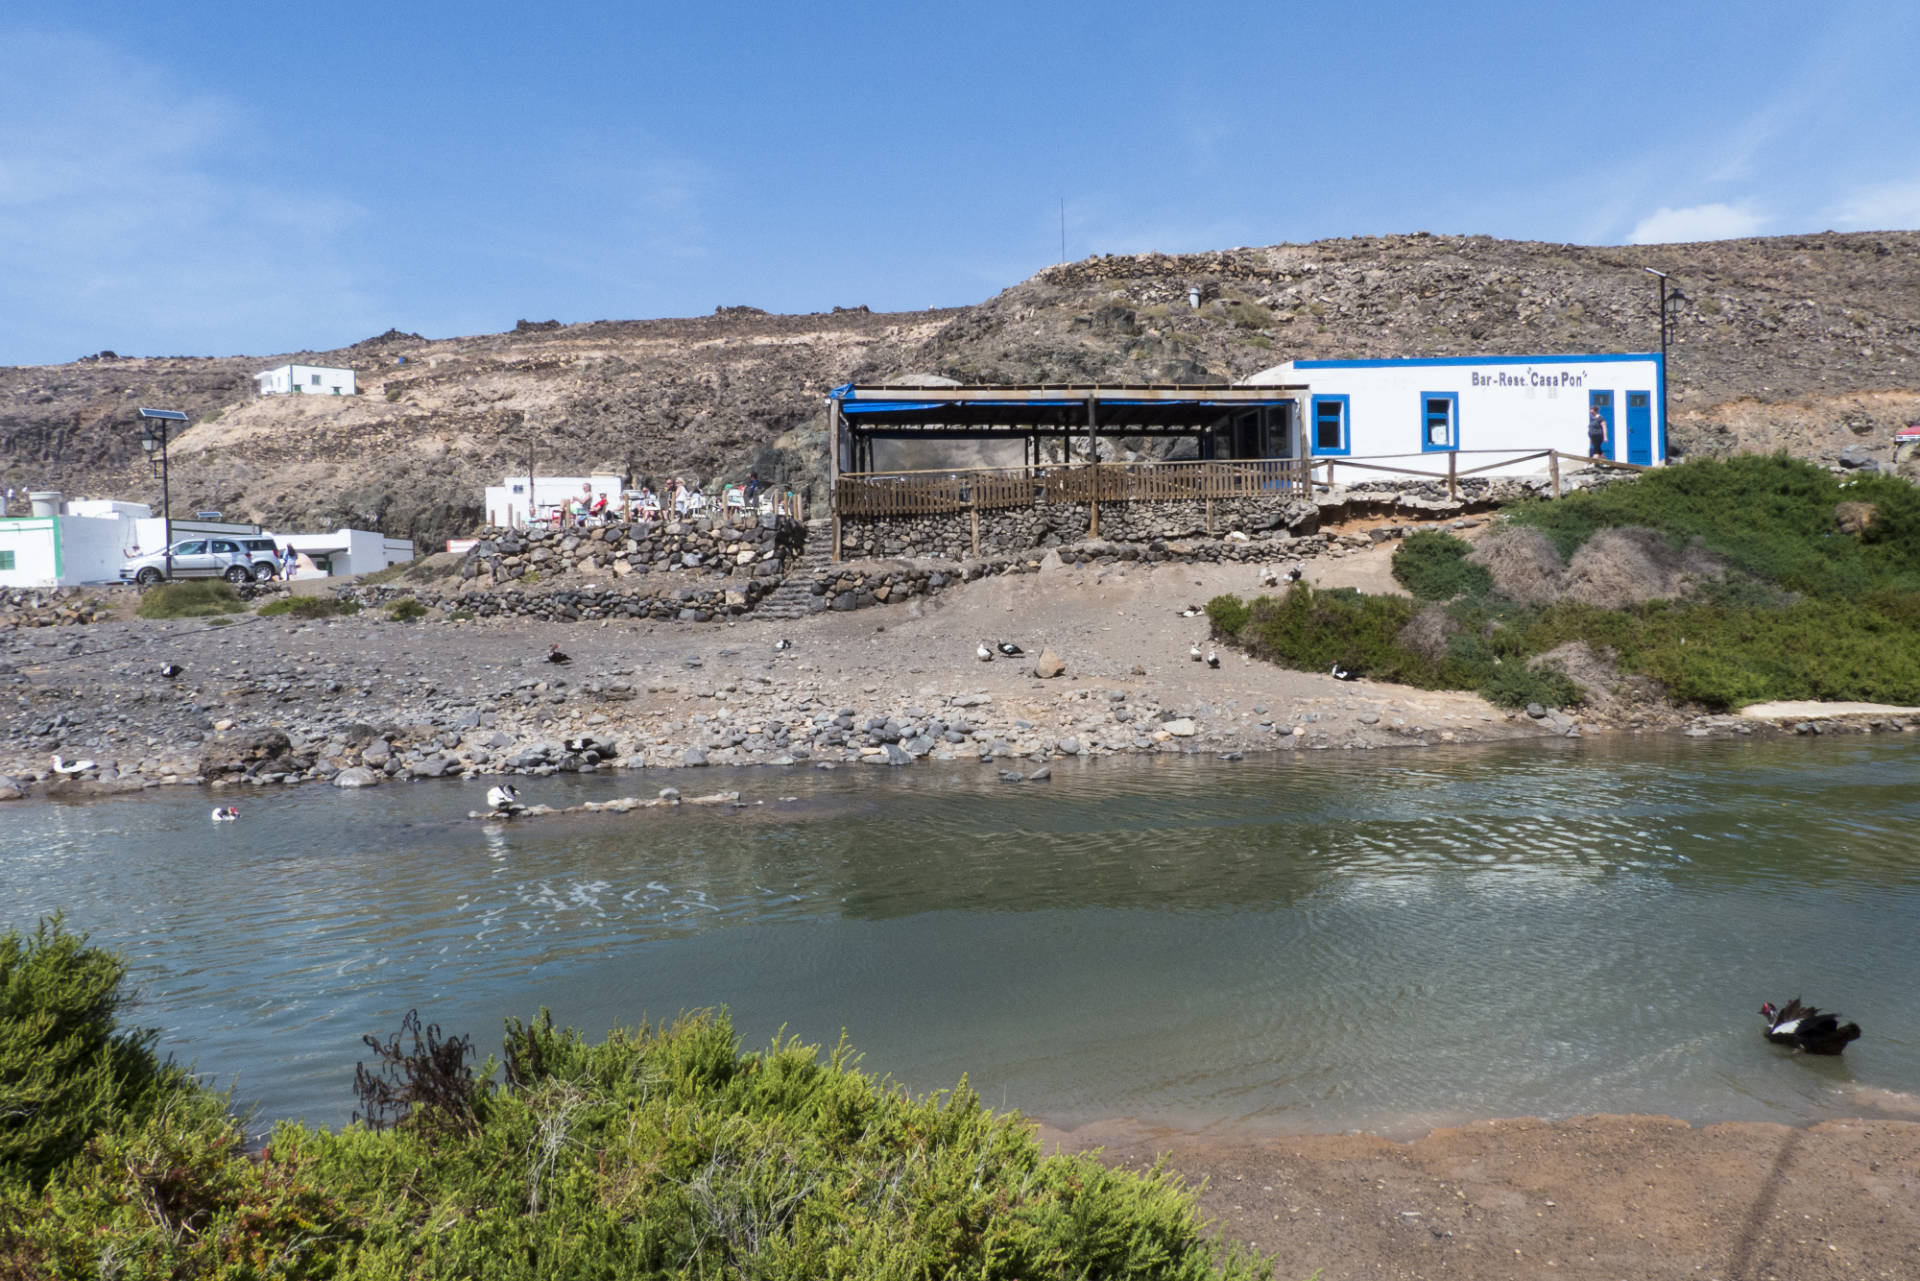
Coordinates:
(986, 489)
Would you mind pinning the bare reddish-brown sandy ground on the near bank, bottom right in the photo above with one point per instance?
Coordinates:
(1596, 1197)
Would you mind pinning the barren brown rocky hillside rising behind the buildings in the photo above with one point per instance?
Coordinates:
(1808, 345)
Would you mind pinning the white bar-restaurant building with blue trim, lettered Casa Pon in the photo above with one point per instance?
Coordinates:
(1477, 406)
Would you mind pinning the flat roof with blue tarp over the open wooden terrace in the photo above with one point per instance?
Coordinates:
(1013, 410)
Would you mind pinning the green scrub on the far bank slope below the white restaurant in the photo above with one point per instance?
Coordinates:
(1819, 596)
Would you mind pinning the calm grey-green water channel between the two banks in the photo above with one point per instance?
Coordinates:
(1305, 944)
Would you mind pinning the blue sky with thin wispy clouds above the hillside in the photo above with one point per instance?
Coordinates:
(206, 178)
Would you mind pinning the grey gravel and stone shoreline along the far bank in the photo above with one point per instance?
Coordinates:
(368, 700)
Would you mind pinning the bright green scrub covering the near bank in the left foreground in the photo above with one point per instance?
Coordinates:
(661, 1151)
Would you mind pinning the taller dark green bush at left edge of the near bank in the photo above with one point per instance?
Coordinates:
(66, 1069)
